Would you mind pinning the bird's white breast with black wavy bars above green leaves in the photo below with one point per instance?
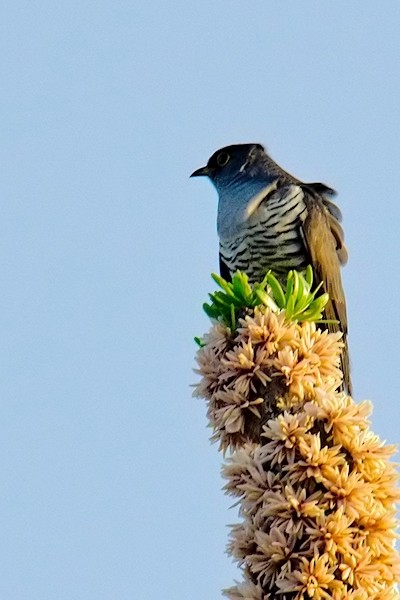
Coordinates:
(270, 238)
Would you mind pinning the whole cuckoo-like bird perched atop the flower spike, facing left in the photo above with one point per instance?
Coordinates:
(268, 219)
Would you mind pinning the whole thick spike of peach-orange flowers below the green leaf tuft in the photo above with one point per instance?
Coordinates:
(315, 486)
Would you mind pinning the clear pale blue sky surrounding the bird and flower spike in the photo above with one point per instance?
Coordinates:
(109, 486)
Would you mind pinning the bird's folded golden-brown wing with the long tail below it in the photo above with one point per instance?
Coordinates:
(324, 240)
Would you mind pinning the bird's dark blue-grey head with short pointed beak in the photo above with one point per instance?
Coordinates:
(235, 164)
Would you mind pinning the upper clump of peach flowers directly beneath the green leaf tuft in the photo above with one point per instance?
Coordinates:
(243, 371)
